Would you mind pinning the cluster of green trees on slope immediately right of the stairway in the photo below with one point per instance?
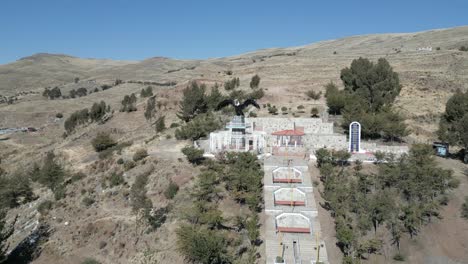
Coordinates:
(405, 193)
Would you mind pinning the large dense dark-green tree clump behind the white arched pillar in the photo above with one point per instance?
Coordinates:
(369, 92)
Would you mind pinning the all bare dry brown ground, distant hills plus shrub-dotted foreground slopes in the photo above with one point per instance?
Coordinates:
(107, 229)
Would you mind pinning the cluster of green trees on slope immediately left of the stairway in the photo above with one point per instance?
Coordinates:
(209, 237)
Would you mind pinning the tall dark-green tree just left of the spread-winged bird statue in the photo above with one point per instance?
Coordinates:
(193, 103)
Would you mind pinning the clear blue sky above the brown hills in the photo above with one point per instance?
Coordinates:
(135, 30)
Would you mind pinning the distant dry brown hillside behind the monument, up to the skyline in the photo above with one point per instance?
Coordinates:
(428, 77)
